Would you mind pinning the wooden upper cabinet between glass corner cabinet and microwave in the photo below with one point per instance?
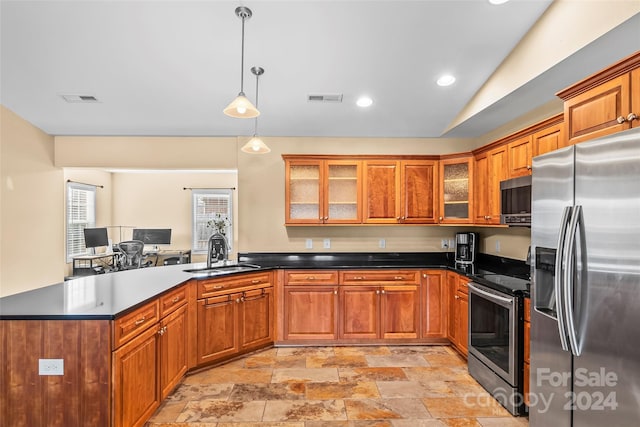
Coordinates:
(490, 169)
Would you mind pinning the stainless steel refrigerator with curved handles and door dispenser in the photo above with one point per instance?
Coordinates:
(585, 317)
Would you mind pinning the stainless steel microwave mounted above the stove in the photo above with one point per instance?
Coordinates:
(515, 201)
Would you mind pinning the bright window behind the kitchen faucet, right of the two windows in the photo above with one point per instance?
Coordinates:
(206, 204)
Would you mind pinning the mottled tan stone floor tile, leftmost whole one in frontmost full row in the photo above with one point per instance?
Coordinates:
(216, 411)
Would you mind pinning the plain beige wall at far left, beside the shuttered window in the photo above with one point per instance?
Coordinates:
(31, 207)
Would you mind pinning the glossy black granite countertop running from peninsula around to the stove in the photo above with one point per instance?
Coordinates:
(107, 296)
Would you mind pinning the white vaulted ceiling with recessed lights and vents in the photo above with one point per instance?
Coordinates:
(170, 67)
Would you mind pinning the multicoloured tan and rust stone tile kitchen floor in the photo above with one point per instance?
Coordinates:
(383, 386)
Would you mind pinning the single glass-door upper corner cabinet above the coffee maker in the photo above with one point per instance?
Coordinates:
(456, 189)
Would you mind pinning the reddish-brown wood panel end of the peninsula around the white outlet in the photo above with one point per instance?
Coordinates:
(80, 397)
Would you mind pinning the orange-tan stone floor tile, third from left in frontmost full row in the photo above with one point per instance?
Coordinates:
(377, 409)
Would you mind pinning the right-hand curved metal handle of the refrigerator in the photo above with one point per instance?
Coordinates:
(568, 281)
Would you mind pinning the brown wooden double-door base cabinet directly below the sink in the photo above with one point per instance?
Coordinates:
(235, 315)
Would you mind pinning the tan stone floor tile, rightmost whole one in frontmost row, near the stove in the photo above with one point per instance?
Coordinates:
(450, 407)
